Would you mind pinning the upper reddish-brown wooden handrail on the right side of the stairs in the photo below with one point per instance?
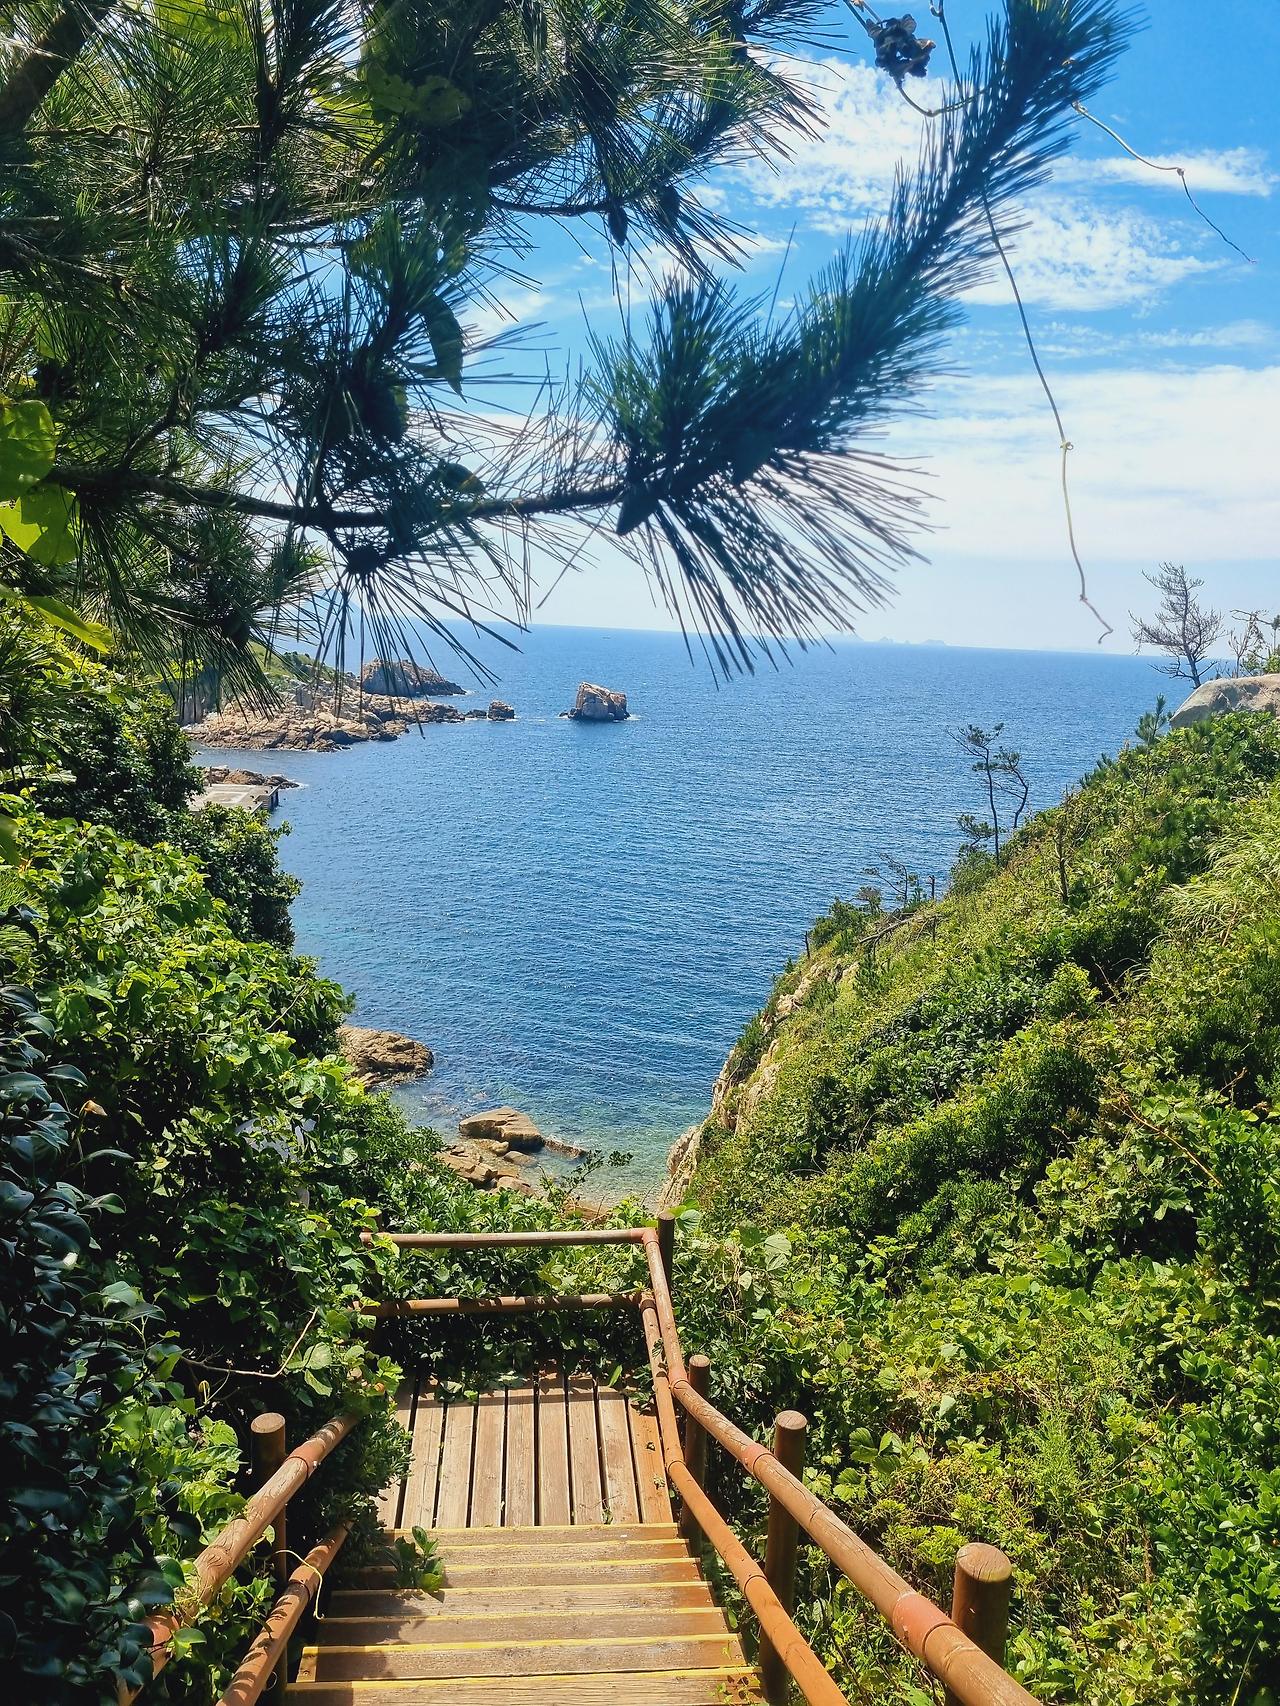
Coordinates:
(970, 1676)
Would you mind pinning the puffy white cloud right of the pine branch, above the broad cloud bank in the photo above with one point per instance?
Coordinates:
(1079, 258)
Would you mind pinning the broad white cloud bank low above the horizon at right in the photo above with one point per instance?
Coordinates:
(1165, 463)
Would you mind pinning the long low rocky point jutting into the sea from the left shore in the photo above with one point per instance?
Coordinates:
(313, 721)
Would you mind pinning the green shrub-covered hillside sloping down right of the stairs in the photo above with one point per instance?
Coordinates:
(1016, 1158)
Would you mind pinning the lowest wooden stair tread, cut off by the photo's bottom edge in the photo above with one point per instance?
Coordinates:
(665, 1688)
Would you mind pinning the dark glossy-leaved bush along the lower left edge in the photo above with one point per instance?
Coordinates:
(76, 1567)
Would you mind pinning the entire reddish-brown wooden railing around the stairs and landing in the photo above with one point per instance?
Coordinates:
(963, 1651)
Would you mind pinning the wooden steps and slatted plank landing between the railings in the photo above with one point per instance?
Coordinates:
(567, 1582)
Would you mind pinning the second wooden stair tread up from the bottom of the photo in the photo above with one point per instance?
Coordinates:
(520, 1659)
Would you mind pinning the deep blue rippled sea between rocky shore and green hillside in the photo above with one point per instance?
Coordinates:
(579, 919)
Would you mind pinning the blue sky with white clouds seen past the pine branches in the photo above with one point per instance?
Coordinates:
(1161, 342)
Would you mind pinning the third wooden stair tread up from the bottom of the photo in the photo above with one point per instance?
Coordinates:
(511, 1625)
